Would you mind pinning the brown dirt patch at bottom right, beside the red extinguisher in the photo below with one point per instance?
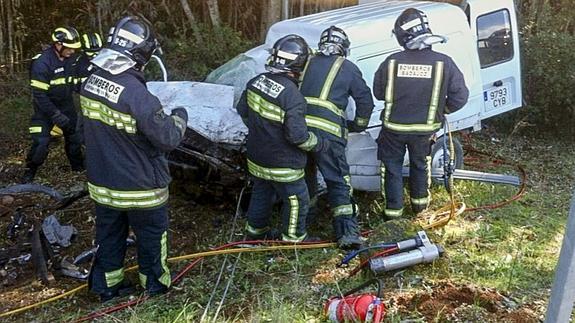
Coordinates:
(448, 302)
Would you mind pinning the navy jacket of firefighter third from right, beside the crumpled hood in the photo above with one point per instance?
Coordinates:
(274, 111)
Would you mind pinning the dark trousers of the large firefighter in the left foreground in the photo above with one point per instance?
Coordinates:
(151, 229)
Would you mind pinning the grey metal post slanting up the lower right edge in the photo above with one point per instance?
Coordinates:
(563, 291)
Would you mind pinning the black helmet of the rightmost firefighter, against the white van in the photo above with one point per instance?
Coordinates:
(410, 24)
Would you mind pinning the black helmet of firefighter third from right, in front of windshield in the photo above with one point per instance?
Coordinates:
(289, 54)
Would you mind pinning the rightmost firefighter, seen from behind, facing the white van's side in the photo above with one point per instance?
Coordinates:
(418, 86)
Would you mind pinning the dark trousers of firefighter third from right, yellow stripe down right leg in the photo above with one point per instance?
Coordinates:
(295, 204)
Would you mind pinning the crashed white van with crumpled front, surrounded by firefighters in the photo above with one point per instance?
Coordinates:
(492, 73)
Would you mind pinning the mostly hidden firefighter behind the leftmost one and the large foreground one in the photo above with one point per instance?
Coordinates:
(82, 66)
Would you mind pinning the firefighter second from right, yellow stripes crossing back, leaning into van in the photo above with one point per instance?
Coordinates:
(330, 79)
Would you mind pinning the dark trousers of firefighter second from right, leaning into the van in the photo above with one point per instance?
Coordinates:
(333, 166)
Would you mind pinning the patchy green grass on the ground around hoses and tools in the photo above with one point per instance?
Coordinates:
(513, 249)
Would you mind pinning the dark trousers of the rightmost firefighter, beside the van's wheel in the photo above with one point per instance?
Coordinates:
(391, 151)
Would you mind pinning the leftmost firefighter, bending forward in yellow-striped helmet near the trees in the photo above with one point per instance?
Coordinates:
(53, 102)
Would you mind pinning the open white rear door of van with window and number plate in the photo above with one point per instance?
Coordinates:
(495, 24)
